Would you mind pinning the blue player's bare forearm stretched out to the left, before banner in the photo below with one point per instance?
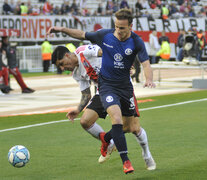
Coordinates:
(75, 33)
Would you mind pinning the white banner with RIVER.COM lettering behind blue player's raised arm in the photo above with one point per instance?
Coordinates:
(34, 28)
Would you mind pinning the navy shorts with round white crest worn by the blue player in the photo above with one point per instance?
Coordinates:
(117, 93)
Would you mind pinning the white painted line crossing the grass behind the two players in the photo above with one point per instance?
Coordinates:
(144, 109)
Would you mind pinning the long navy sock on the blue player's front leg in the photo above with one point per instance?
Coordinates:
(120, 141)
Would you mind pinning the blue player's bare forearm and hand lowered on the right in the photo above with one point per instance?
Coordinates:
(148, 74)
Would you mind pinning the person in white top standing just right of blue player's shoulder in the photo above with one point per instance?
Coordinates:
(154, 46)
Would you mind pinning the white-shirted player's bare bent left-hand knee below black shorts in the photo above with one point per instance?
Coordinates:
(88, 118)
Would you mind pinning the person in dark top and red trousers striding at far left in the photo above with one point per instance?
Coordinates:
(12, 63)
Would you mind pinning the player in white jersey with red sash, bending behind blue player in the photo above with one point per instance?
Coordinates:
(85, 64)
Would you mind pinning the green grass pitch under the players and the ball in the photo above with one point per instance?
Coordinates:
(64, 151)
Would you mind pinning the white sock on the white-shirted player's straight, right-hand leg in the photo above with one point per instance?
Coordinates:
(142, 140)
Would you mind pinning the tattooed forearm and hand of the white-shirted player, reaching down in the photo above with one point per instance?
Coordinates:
(86, 96)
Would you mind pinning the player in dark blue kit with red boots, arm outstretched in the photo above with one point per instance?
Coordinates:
(119, 46)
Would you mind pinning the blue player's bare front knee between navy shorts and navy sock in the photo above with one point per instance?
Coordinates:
(114, 112)
